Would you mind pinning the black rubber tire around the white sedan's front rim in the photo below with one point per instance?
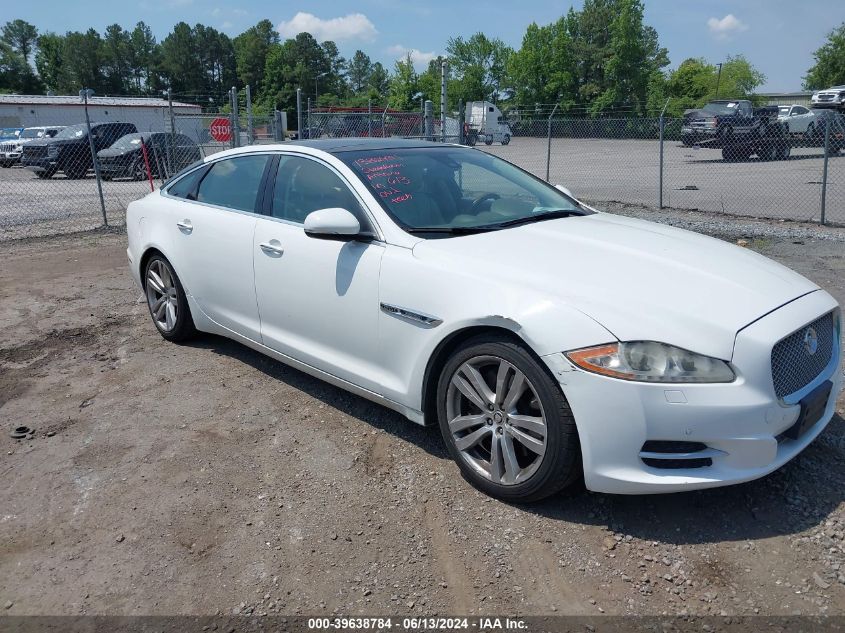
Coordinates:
(560, 465)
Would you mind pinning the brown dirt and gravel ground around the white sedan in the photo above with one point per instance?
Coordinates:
(207, 479)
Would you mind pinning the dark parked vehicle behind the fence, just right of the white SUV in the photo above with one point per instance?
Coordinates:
(69, 150)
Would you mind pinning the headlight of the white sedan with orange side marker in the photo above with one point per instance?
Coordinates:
(649, 361)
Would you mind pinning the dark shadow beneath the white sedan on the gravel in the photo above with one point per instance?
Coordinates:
(795, 498)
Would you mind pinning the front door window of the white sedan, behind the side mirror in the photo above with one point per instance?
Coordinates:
(304, 185)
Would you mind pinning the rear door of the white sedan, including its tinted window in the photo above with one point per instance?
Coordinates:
(213, 226)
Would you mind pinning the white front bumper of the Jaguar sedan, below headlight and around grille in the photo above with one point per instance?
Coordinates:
(740, 423)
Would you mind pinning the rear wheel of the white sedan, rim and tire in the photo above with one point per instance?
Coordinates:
(166, 301)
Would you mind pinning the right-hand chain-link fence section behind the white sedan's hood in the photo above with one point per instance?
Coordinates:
(763, 169)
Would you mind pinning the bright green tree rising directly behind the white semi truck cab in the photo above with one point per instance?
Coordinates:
(477, 66)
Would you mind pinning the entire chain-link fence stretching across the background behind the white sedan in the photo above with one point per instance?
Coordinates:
(86, 176)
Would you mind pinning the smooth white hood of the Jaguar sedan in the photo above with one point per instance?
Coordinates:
(640, 280)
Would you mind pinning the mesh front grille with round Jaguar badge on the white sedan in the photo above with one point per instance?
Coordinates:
(793, 364)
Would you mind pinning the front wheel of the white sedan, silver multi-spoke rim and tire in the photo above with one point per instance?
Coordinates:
(506, 422)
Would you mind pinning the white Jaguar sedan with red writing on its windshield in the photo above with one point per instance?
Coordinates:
(548, 341)
